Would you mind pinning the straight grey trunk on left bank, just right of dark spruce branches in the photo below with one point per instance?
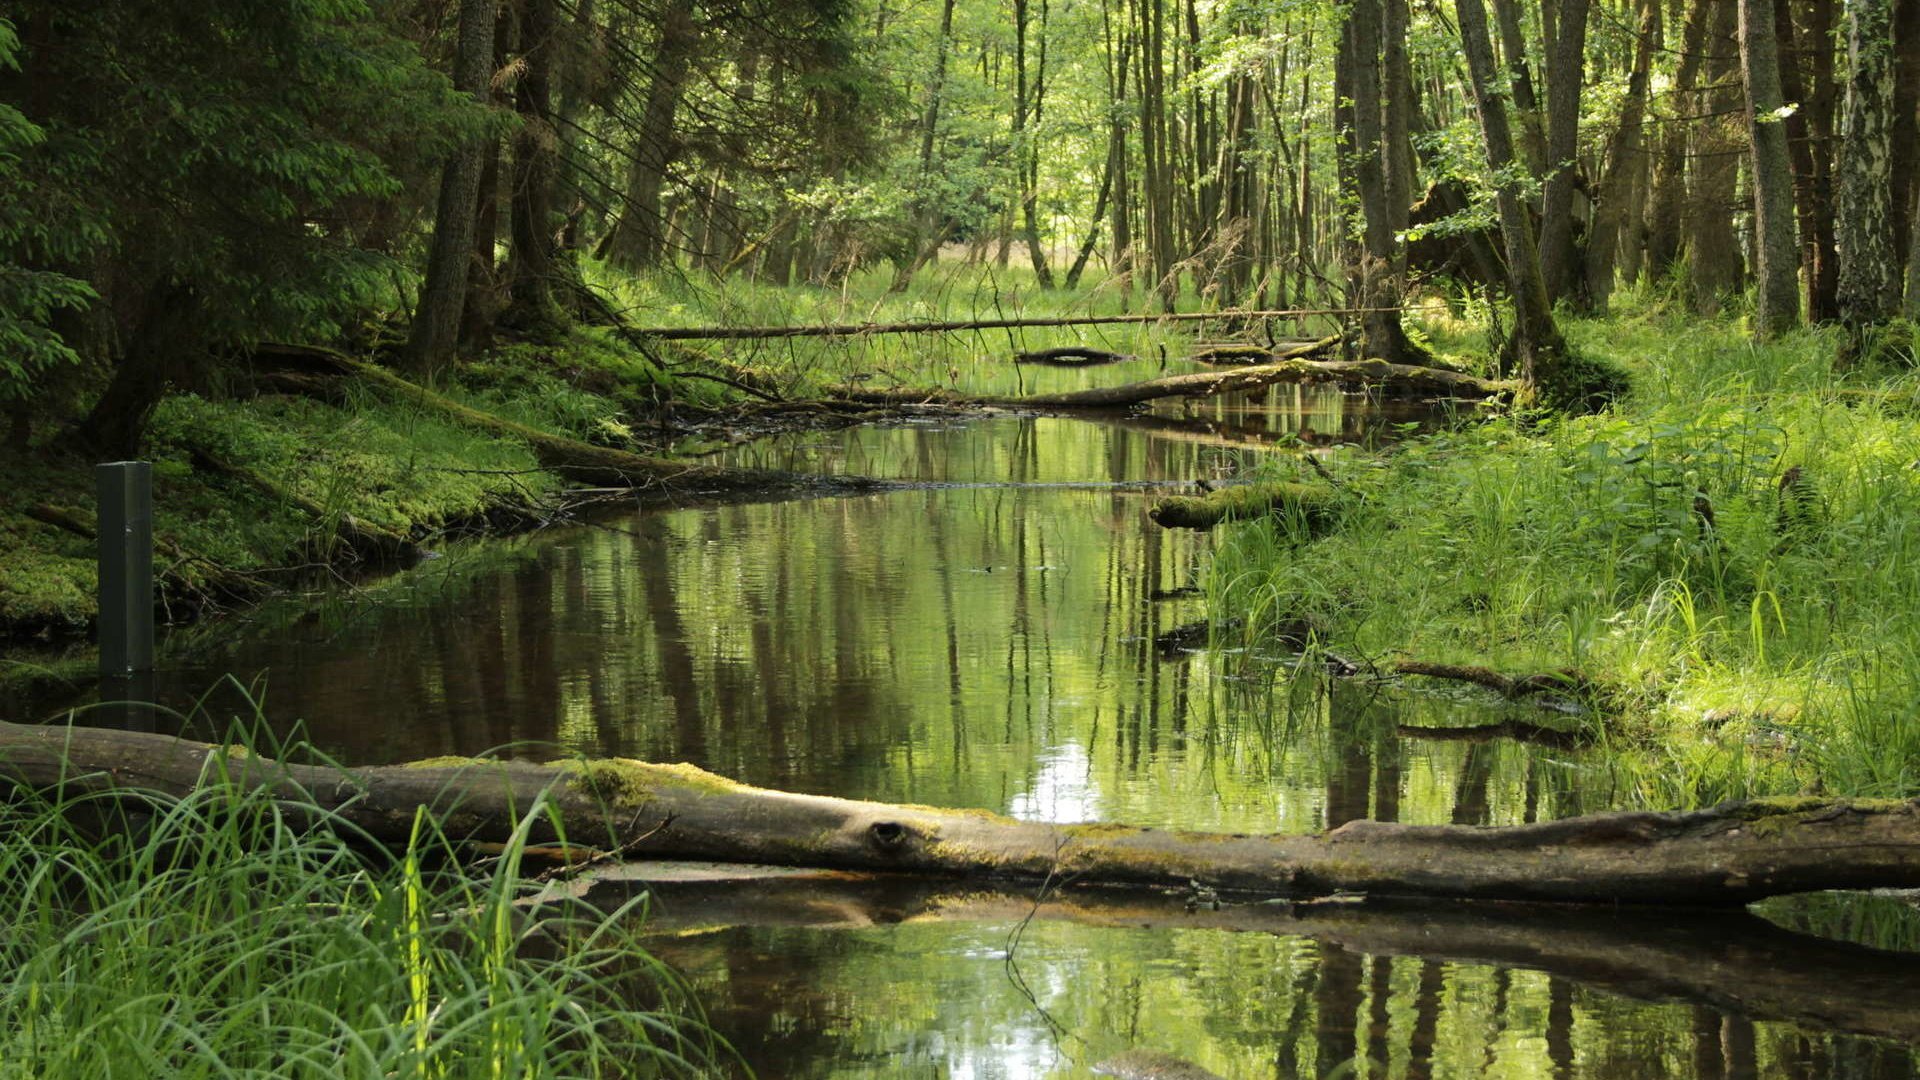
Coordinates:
(437, 322)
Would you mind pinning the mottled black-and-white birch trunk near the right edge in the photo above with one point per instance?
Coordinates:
(1869, 268)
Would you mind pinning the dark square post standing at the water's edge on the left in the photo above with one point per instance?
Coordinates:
(126, 568)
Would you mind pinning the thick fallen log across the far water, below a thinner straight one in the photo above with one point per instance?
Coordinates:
(1378, 374)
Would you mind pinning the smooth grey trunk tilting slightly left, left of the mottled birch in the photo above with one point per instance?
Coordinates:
(1777, 247)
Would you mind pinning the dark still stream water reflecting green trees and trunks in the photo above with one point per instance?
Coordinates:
(994, 645)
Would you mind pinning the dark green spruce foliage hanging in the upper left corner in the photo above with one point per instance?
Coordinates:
(208, 178)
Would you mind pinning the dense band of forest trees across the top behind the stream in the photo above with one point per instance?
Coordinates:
(421, 178)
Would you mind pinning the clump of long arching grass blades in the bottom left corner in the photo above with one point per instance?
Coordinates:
(235, 933)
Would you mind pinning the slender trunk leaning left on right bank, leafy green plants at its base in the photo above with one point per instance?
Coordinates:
(1535, 349)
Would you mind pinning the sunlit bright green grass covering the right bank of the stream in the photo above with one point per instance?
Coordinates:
(1777, 650)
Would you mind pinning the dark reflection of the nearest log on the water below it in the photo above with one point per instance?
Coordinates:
(1723, 960)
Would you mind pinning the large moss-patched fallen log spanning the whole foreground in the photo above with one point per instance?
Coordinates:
(1721, 856)
